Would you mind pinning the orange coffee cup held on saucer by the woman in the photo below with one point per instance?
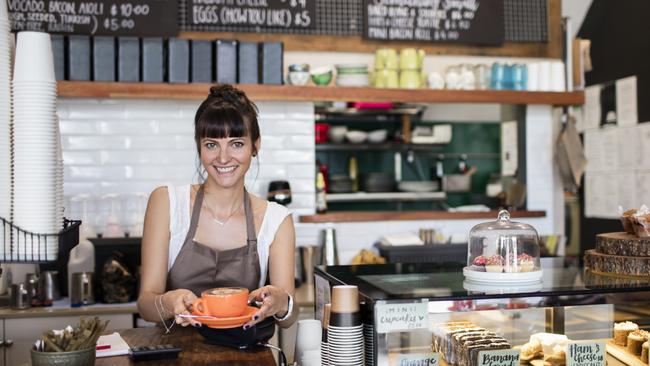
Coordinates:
(222, 302)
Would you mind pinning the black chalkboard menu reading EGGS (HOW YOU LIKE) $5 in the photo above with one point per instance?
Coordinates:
(257, 14)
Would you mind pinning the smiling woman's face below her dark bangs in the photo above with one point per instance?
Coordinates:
(227, 159)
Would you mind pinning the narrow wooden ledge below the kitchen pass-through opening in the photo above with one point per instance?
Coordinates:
(359, 216)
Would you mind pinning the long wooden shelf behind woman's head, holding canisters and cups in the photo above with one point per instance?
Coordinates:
(92, 89)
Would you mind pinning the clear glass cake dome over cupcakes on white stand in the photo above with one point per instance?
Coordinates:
(503, 250)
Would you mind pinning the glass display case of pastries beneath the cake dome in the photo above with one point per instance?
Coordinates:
(410, 311)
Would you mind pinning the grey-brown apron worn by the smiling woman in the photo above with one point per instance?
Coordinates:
(199, 267)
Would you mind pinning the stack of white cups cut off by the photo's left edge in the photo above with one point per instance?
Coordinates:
(5, 122)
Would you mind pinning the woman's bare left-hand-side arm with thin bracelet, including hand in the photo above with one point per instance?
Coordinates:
(154, 304)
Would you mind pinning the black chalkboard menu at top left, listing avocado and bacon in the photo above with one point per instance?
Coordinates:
(95, 17)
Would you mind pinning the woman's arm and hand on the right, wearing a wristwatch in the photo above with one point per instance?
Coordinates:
(275, 297)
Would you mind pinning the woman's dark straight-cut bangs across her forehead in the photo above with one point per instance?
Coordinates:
(221, 123)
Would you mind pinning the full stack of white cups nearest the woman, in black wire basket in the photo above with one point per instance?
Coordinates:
(37, 169)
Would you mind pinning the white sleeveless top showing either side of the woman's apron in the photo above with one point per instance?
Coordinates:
(179, 225)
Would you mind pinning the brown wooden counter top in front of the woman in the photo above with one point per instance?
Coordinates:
(195, 351)
